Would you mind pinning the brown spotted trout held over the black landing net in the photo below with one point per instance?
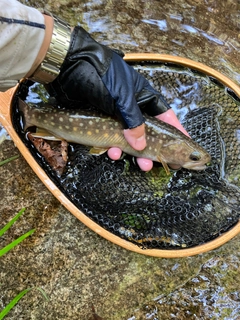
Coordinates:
(165, 143)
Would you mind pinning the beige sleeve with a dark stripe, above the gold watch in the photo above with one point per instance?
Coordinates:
(22, 31)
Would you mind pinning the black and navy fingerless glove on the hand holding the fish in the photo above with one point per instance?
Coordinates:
(93, 73)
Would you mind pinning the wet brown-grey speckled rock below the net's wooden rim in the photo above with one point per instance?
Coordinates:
(76, 268)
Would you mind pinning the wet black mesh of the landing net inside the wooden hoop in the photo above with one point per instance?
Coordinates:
(151, 209)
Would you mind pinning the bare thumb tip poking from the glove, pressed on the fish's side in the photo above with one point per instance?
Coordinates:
(136, 137)
